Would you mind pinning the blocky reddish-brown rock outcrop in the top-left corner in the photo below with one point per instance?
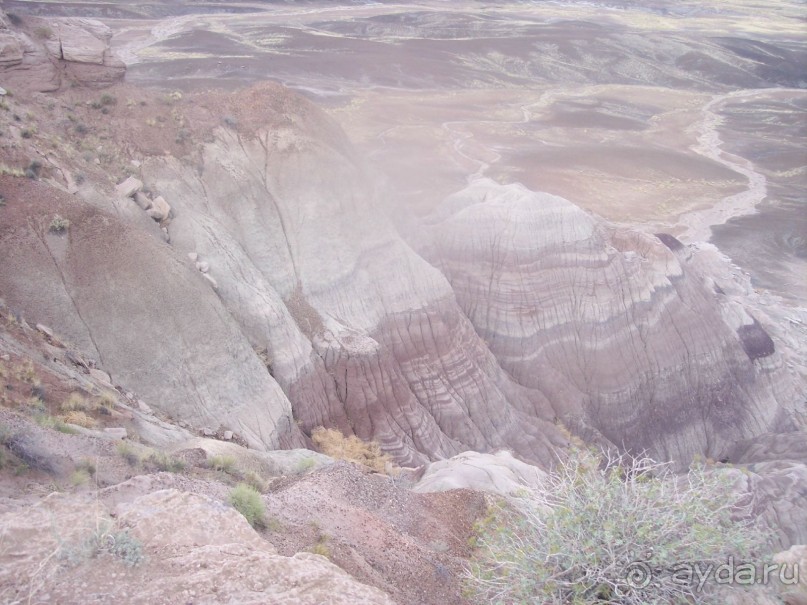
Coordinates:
(40, 55)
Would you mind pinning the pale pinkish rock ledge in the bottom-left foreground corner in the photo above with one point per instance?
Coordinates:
(193, 547)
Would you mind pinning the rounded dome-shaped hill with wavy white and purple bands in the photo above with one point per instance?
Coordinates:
(614, 327)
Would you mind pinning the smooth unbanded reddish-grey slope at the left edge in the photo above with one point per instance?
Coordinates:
(124, 298)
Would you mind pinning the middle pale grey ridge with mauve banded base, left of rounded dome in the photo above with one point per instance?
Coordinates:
(360, 331)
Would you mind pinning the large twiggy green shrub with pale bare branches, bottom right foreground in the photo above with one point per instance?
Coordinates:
(610, 532)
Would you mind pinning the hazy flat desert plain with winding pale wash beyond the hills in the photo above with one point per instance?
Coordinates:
(639, 112)
